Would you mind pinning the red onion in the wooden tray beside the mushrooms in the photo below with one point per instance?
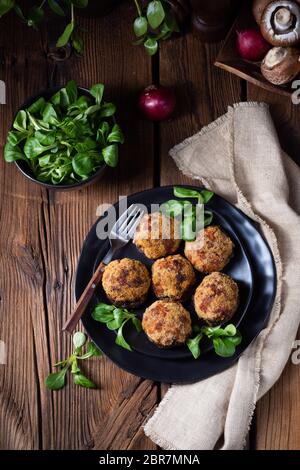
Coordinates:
(251, 45)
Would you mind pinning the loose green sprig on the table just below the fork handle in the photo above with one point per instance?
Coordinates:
(57, 380)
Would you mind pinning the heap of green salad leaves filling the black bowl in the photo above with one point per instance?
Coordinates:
(68, 138)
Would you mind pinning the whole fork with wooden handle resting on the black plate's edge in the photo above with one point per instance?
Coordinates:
(121, 233)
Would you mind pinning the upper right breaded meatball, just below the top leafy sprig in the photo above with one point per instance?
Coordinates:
(211, 250)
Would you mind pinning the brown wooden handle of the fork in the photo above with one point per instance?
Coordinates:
(84, 300)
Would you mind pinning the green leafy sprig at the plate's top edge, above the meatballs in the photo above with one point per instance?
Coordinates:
(191, 222)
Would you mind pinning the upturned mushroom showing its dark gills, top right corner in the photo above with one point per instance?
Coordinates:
(280, 23)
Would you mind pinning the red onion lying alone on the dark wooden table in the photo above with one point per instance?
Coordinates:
(157, 103)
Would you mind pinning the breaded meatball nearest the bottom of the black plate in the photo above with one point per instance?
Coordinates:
(167, 323)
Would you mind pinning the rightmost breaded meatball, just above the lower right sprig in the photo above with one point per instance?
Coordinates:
(216, 299)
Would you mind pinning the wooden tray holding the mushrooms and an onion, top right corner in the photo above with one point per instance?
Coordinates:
(229, 59)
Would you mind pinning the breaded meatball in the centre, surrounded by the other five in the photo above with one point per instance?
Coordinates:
(172, 277)
